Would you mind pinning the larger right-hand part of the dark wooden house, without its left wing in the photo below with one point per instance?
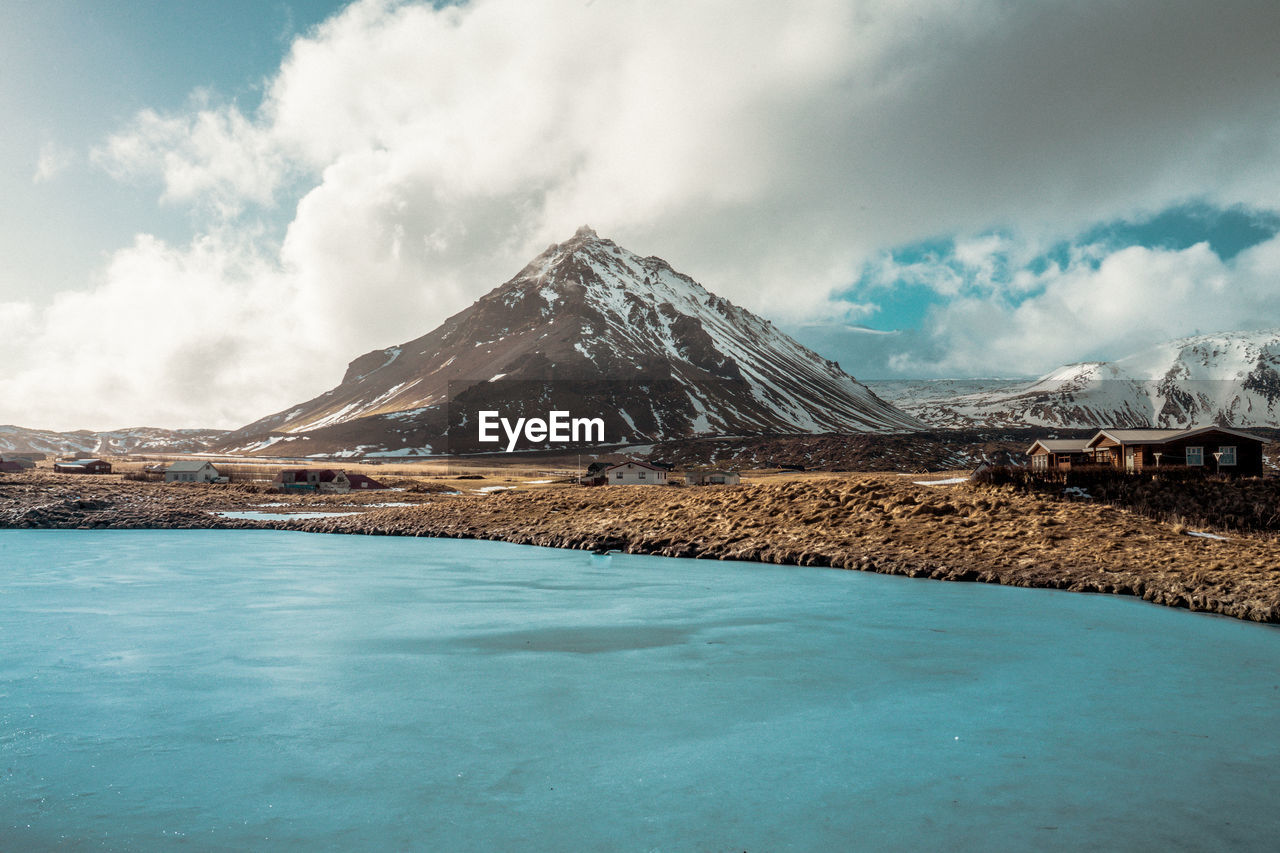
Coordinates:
(1215, 450)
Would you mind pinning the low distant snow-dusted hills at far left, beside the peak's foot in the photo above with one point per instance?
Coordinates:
(139, 440)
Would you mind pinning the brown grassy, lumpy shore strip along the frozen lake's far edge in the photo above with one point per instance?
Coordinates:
(867, 522)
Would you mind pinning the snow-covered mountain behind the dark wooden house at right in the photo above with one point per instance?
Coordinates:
(1229, 378)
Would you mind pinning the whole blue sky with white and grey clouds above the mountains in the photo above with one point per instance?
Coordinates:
(211, 209)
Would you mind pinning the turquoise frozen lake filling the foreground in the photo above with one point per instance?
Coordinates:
(217, 690)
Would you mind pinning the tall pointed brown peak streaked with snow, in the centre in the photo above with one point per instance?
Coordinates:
(598, 331)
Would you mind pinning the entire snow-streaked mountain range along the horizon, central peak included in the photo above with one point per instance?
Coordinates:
(596, 330)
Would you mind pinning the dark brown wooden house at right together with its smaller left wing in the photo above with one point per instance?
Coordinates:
(1209, 449)
